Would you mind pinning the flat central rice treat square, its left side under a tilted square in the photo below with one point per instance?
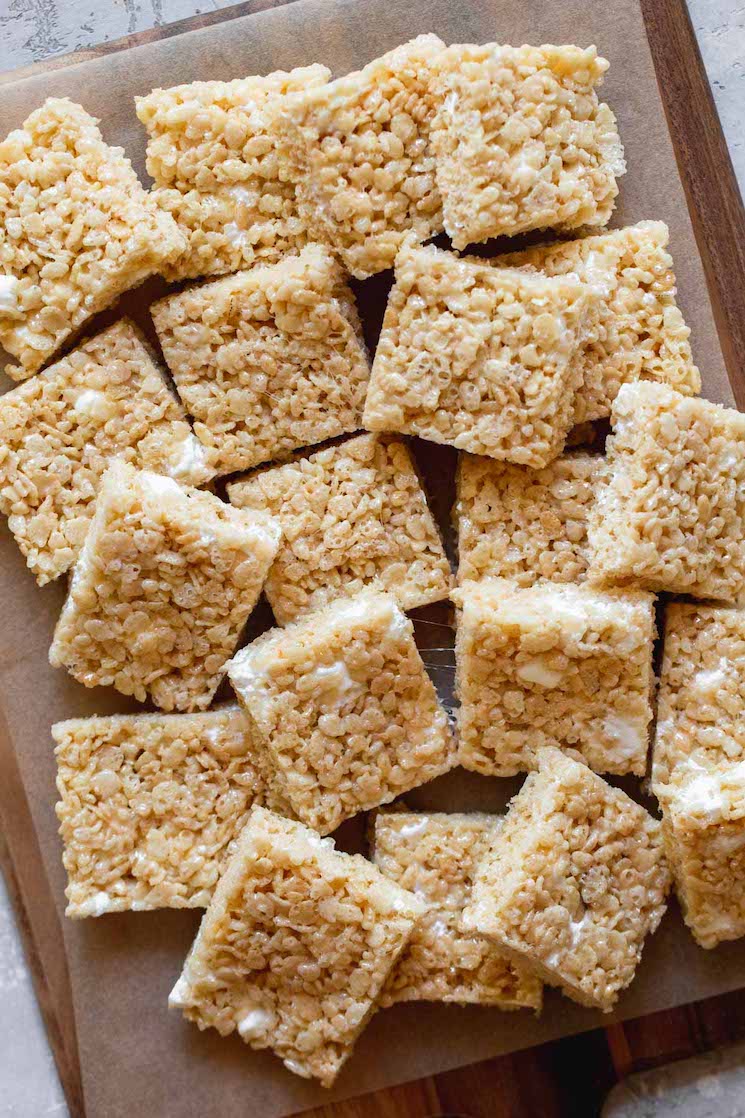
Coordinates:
(353, 516)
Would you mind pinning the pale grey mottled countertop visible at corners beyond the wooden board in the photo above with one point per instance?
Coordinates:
(35, 30)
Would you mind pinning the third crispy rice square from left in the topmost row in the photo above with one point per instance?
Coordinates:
(360, 151)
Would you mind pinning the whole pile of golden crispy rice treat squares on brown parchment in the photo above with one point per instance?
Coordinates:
(274, 190)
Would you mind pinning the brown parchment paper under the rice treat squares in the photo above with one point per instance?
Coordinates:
(137, 1058)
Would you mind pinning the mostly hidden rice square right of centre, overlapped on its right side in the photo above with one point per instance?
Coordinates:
(525, 525)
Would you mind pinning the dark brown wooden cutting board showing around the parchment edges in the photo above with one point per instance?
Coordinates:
(571, 1076)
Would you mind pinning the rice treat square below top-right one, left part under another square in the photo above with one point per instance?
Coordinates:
(636, 330)
